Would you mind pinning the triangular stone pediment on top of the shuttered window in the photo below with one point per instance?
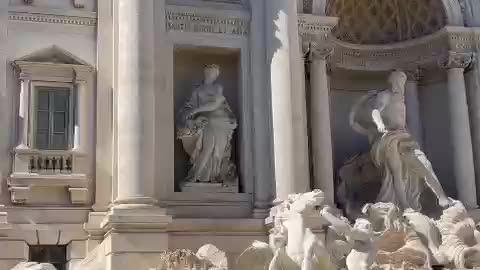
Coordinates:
(55, 55)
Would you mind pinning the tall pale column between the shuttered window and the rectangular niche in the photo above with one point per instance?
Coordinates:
(135, 97)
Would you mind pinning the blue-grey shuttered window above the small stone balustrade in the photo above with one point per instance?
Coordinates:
(52, 122)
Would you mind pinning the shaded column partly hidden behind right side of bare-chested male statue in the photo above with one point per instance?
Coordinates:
(414, 122)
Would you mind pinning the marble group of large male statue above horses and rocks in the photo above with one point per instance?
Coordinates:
(394, 226)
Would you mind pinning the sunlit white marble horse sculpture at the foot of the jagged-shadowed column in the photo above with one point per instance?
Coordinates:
(294, 245)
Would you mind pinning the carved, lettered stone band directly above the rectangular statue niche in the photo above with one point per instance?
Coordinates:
(179, 19)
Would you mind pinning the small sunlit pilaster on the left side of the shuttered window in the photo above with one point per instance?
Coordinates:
(23, 113)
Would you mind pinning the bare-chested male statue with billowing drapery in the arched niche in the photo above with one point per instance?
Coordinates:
(381, 115)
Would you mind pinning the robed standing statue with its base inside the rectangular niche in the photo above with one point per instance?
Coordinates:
(205, 126)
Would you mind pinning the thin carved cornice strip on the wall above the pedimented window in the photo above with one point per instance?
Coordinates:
(50, 18)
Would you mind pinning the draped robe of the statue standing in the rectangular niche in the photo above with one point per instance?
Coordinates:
(207, 139)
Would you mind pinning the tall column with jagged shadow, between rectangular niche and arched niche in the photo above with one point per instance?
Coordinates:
(289, 123)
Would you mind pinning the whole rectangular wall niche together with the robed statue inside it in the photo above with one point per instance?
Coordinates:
(206, 105)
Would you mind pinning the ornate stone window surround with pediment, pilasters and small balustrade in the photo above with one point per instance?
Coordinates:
(52, 67)
